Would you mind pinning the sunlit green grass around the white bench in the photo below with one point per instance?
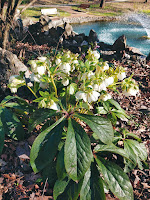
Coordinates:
(35, 13)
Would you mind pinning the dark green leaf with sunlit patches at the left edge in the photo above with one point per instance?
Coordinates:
(12, 125)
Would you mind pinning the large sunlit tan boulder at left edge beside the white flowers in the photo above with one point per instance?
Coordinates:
(9, 65)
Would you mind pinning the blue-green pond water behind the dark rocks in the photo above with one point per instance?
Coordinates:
(108, 32)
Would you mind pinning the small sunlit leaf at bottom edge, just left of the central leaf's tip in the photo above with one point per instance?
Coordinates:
(60, 187)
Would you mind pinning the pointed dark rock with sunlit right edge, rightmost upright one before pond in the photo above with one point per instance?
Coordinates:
(120, 43)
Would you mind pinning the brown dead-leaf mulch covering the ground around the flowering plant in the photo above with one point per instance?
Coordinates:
(17, 180)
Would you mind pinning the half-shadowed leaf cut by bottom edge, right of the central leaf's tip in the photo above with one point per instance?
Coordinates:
(92, 187)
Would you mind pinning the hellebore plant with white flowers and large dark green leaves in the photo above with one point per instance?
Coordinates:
(75, 150)
